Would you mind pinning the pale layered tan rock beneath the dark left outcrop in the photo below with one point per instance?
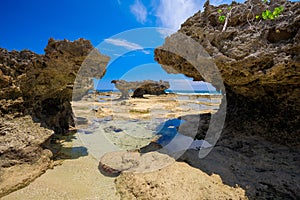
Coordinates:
(22, 157)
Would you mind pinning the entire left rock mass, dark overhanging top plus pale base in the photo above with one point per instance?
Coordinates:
(38, 88)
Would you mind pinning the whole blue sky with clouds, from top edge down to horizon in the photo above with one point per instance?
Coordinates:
(29, 24)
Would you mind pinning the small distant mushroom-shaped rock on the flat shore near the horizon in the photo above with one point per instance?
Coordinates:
(141, 88)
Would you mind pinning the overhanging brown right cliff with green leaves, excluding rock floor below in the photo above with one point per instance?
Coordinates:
(258, 60)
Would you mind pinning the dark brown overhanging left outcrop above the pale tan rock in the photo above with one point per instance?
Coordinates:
(41, 85)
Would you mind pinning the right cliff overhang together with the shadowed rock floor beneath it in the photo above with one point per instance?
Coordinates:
(259, 63)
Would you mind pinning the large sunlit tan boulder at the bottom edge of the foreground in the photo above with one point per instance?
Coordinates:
(176, 181)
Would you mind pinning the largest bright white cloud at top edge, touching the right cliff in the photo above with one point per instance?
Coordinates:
(172, 13)
